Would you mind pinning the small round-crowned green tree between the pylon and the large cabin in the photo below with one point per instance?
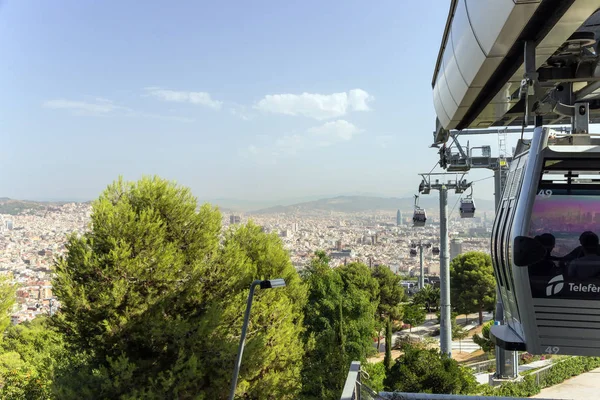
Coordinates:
(472, 282)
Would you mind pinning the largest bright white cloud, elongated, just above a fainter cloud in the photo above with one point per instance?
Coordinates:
(317, 106)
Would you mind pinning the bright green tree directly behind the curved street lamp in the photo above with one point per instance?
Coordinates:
(272, 364)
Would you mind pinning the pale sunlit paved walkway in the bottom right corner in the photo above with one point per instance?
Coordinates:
(585, 386)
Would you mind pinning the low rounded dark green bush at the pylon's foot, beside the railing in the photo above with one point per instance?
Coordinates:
(421, 370)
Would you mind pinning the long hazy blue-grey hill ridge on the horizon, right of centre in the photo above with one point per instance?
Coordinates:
(352, 204)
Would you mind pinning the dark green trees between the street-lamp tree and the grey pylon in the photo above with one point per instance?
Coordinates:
(340, 321)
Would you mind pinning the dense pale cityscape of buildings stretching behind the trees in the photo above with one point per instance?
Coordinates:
(32, 239)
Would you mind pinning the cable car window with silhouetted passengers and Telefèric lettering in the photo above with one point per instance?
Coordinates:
(565, 219)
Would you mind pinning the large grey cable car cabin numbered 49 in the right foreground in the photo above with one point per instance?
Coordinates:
(545, 247)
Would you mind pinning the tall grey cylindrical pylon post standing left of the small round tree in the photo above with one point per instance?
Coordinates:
(445, 311)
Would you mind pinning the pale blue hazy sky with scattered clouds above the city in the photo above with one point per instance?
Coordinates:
(250, 100)
